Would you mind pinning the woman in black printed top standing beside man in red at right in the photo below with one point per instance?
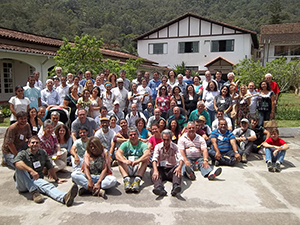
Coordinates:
(265, 103)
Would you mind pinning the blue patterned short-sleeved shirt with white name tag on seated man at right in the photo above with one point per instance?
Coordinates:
(223, 140)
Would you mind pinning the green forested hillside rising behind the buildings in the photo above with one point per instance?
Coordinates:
(119, 21)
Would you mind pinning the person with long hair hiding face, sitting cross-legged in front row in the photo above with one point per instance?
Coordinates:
(94, 176)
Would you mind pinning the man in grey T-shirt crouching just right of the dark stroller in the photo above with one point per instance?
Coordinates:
(83, 120)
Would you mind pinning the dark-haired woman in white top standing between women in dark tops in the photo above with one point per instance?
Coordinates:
(208, 98)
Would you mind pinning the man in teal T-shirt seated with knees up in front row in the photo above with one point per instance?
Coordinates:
(133, 156)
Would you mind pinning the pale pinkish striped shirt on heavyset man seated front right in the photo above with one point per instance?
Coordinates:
(192, 148)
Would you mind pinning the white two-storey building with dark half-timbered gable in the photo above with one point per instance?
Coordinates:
(199, 42)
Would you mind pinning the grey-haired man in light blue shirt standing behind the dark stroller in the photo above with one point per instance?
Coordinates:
(48, 95)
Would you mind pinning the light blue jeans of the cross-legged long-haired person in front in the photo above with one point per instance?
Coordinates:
(80, 179)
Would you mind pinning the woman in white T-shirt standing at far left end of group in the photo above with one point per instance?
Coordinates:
(18, 103)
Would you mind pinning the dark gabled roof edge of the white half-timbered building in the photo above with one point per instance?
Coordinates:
(253, 34)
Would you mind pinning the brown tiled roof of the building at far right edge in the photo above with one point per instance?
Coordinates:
(288, 33)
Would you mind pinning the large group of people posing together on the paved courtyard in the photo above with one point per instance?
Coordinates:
(173, 124)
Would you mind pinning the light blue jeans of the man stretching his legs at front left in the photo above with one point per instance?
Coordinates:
(25, 183)
